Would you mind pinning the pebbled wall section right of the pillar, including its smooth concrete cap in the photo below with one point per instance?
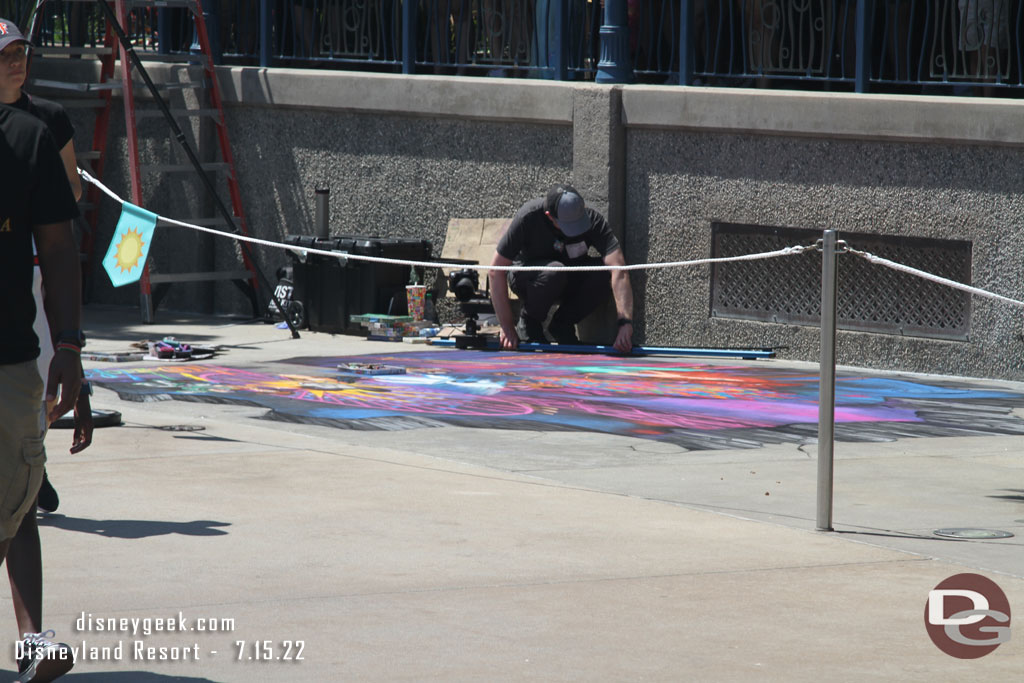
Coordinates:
(930, 167)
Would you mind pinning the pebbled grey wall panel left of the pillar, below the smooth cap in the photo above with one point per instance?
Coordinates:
(390, 176)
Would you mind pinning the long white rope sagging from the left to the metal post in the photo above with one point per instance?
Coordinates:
(788, 251)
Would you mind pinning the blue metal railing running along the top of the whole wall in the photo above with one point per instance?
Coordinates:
(963, 47)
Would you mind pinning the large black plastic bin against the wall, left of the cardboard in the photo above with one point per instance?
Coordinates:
(333, 290)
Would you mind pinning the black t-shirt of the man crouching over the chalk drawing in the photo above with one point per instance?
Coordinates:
(533, 238)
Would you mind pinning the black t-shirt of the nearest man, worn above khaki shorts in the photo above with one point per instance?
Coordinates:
(34, 190)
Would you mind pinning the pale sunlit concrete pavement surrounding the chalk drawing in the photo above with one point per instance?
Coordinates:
(458, 554)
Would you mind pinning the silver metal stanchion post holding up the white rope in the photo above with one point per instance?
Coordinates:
(827, 385)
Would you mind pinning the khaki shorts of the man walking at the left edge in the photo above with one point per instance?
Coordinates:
(22, 453)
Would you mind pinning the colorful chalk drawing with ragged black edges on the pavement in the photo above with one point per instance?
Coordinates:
(697, 406)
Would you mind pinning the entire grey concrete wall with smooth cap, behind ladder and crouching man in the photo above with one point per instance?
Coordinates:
(404, 155)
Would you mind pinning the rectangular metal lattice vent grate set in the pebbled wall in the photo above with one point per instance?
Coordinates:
(872, 298)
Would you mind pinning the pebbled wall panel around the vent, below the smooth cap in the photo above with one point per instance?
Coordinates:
(685, 182)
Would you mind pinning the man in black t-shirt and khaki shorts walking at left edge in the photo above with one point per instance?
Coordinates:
(36, 202)
